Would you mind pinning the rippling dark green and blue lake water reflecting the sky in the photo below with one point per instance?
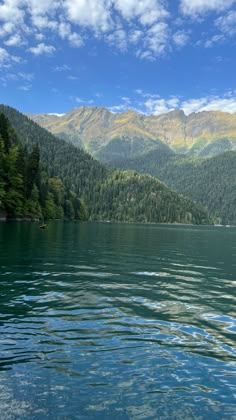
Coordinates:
(117, 321)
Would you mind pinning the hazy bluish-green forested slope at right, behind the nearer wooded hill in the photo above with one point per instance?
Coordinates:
(210, 182)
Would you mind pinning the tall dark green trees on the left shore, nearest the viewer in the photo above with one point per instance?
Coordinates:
(26, 190)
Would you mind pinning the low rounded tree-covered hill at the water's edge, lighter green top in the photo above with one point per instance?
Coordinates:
(129, 196)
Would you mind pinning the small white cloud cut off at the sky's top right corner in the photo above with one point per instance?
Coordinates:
(199, 7)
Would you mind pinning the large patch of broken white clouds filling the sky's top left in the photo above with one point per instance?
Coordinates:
(120, 23)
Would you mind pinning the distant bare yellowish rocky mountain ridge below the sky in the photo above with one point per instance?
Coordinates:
(107, 135)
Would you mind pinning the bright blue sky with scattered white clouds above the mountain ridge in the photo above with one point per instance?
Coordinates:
(152, 56)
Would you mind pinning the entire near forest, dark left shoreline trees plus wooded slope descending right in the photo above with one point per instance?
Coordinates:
(54, 179)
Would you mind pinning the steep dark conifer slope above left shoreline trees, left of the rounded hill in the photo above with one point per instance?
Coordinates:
(76, 167)
